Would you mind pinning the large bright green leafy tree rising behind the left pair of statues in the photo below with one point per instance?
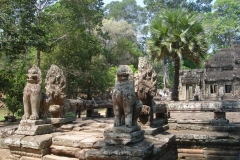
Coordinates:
(75, 30)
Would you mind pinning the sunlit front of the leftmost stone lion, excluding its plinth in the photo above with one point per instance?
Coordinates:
(32, 94)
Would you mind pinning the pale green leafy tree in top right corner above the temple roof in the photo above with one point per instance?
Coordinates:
(223, 23)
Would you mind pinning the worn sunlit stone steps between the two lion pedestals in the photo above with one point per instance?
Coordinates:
(75, 144)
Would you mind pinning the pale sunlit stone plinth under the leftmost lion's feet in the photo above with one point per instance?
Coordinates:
(34, 127)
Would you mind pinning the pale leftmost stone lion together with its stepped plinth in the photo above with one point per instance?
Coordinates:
(35, 103)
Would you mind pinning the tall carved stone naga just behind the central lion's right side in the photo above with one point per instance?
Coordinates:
(145, 88)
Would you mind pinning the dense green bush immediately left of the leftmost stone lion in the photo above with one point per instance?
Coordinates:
(14, 74)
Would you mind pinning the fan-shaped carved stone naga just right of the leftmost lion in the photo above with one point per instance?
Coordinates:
(55, 89)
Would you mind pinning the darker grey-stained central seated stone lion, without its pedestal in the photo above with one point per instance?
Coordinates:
(125, 105)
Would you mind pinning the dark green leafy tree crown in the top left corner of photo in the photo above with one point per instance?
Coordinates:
(19, 31)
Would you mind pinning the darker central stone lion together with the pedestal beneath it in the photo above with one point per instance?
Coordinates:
(126, 110)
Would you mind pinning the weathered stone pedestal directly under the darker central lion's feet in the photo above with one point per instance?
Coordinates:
(123, 135)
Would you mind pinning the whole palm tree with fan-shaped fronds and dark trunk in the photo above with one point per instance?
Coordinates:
(175, 33)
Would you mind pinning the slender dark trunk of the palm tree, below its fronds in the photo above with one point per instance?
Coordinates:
(176, 77)
